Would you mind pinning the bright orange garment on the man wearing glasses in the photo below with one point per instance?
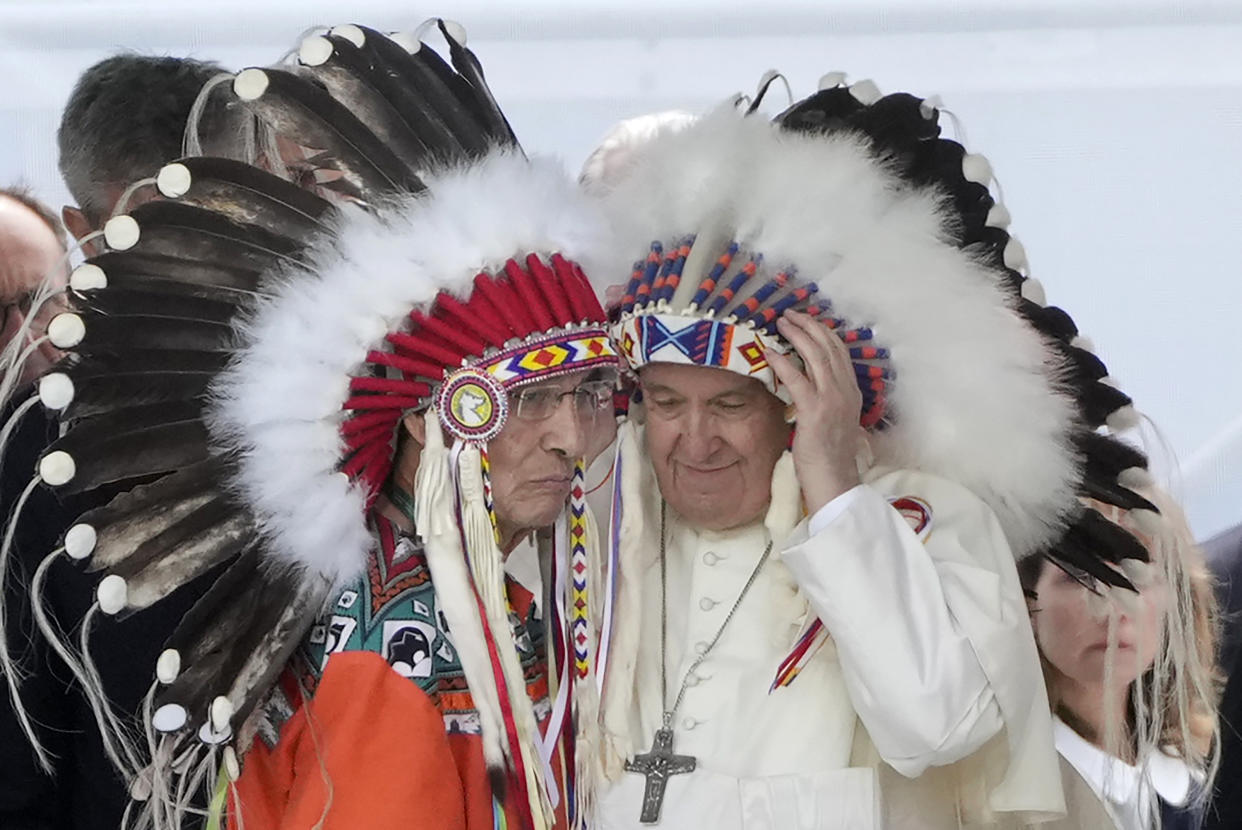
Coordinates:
(381, 741)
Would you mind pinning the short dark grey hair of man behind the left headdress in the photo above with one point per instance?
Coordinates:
(127, 116)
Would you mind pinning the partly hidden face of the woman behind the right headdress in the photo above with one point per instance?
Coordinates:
(1072, 629)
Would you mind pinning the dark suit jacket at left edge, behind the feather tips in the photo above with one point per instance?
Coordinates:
(86, 793)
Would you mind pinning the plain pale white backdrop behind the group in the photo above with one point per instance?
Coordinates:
(1115, 130)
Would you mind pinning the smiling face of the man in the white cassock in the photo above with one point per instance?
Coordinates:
(714, 438)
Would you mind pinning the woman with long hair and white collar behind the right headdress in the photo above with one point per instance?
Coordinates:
(1132, 677)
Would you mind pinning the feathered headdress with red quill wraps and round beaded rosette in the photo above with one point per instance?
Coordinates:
(242, 357)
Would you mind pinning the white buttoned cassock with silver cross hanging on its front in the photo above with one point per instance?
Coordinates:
(931, 659)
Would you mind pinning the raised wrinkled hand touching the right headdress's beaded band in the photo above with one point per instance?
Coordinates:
(828, 402)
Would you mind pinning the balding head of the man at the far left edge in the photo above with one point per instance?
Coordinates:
(30, 252)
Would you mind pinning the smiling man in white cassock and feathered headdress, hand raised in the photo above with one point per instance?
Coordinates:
(844, 434)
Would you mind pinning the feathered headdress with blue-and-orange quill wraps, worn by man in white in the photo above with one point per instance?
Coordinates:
(854, 209)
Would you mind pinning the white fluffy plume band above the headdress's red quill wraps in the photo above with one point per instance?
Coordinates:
(279, 407)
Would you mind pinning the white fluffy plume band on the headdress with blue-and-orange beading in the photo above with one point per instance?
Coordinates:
(977, 397)
